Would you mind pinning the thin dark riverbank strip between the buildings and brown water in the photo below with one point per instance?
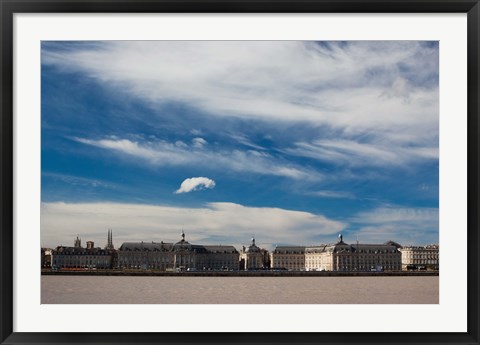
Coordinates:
(265, 273)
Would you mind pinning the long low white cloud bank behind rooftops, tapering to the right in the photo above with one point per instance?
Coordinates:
(216, 223)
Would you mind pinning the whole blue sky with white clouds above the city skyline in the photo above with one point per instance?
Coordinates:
(292, 142)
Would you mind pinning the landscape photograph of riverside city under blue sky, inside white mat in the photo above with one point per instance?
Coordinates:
(239, 172)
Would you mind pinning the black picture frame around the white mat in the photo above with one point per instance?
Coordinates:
(9, 7)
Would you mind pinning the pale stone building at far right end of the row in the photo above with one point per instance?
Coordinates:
(420, 257)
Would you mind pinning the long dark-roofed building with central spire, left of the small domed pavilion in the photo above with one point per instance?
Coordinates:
(180, 256)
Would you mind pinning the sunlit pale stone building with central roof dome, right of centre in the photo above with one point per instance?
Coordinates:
(353, 257)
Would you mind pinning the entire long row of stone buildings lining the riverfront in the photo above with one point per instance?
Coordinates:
(184, 256)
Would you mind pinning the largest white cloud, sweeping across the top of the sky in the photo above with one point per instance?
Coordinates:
(356, 87)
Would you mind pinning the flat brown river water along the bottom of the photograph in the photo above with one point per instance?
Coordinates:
(239, 290)
